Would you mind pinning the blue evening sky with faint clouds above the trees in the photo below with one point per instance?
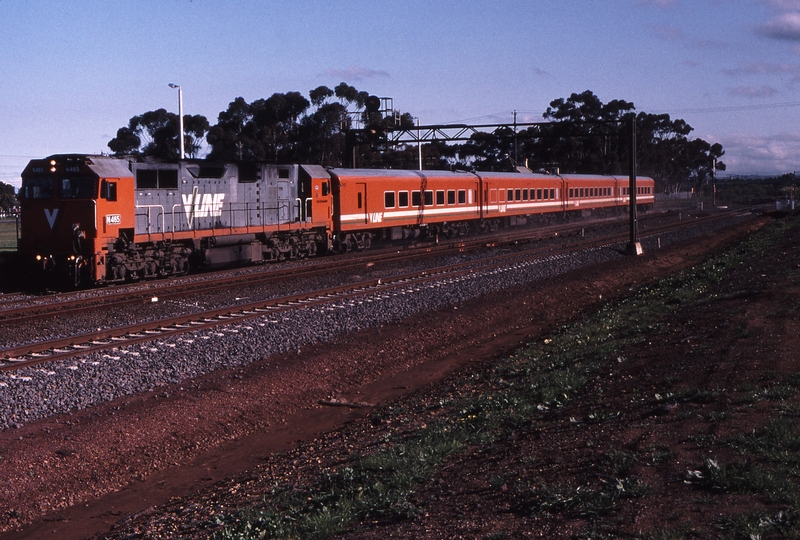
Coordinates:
(72, 72)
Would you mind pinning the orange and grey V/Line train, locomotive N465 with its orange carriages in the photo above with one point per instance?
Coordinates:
(95, 219)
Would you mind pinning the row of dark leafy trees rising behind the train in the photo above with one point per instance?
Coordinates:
(582, 135)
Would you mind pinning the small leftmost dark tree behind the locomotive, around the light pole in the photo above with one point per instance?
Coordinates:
(156, 134)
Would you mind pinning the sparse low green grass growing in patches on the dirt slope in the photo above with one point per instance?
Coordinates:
(534, 381)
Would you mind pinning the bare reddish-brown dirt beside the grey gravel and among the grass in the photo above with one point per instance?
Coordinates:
(76, 475)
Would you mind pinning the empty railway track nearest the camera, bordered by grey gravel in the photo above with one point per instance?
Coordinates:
(122, 336)
